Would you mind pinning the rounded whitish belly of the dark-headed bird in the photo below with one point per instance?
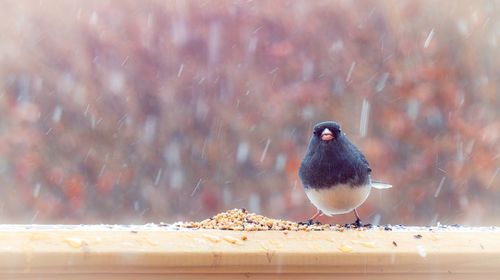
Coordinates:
(338, 200)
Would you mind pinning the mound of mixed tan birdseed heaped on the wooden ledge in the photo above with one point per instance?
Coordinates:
(242, 220)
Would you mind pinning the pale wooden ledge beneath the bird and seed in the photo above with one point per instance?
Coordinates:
(152, 252)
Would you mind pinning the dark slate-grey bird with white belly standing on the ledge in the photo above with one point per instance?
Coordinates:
(335, 174)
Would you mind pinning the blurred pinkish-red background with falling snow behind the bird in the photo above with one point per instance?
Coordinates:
(149, 111)
